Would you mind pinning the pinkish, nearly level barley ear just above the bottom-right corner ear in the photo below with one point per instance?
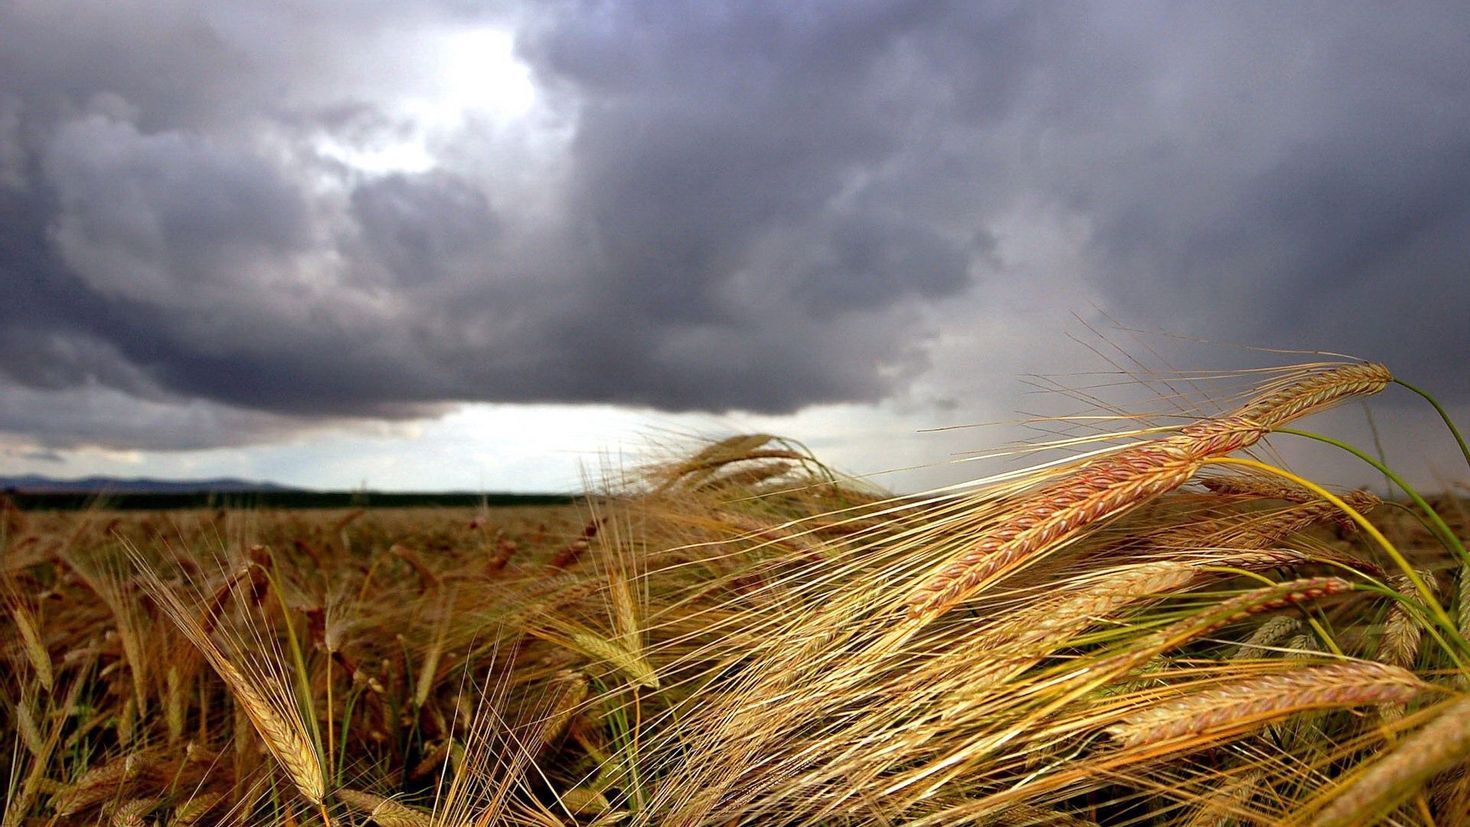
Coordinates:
(1252, 703)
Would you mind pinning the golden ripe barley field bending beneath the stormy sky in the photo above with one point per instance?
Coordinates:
(1165, 626)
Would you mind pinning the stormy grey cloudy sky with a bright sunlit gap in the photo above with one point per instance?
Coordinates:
(505, 246)
